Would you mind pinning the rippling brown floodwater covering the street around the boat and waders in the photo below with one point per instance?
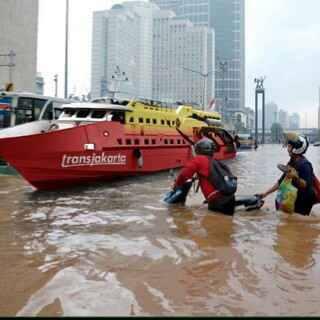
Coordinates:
(116, 249)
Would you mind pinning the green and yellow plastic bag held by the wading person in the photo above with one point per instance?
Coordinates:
(286, 196)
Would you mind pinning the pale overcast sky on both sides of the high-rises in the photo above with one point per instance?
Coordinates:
(282, 43)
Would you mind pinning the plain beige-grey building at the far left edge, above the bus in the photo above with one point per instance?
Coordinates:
(19, 34)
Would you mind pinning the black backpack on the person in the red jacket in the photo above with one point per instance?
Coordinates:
(222, 178)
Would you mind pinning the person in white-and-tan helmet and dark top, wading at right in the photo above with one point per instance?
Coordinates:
(300, 170)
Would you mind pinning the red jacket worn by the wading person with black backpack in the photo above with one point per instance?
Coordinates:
(199, 165)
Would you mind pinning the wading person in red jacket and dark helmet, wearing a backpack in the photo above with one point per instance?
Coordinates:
(216, 181)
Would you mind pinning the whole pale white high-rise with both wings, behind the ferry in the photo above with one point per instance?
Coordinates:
(164, 58)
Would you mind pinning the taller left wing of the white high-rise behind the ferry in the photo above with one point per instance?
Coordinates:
(122, 40)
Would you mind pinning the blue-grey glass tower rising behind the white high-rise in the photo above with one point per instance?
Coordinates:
(226, 17)
